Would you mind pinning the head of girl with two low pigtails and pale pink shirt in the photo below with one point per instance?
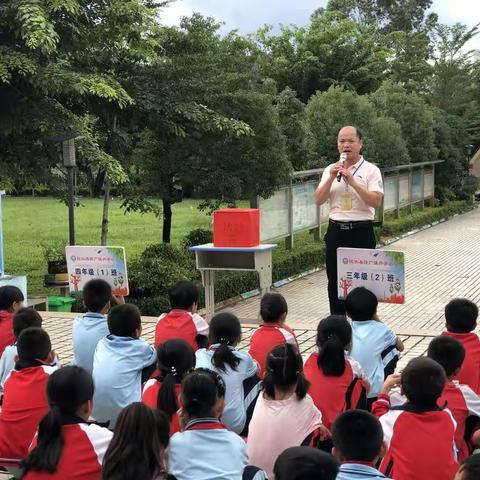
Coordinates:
(284, 370)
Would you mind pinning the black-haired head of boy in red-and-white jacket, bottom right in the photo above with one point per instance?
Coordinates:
(423, 381)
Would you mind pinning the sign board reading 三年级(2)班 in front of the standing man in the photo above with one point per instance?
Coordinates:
(381, 271)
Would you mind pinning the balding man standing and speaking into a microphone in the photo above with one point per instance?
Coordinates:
(354, 188)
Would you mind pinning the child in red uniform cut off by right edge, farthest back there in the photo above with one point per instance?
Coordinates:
(461, 320)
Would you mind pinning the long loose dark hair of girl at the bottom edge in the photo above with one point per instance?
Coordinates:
(139, 441)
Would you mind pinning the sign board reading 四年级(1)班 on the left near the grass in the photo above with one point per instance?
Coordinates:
(85, 263)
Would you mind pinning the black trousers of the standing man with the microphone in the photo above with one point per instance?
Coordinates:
(361, 237)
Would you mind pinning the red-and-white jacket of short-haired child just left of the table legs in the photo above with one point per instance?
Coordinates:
(180, 324)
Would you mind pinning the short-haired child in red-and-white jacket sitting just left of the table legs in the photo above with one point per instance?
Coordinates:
(182, 321)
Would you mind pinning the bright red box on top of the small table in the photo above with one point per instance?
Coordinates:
(236, 227)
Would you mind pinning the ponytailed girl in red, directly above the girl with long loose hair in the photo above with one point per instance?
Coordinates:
(175, 359)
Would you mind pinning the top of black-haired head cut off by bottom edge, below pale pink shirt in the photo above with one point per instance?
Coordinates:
(305, 463)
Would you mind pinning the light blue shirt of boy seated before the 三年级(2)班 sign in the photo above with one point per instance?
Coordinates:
(369, 340)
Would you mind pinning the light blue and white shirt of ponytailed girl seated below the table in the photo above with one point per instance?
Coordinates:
(234, 415)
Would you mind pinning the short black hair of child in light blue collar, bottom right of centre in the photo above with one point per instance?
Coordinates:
(358, 435)
